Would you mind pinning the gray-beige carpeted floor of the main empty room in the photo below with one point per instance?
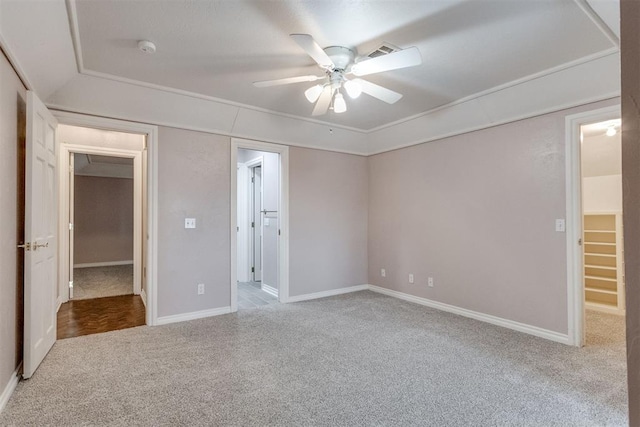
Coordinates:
(360, 359)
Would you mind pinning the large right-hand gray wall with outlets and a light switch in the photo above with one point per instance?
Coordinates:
(476, 212)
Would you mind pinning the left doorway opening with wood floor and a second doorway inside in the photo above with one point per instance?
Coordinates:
(102, 223)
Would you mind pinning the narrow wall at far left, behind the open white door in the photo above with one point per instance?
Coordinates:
(12, 131)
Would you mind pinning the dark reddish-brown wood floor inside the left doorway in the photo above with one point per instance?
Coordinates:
(92, 316)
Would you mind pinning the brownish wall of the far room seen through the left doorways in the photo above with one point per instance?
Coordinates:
(103, 219)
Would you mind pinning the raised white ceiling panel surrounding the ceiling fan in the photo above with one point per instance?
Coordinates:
(218, 48)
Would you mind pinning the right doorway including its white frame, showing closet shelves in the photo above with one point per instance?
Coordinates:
(594, 229)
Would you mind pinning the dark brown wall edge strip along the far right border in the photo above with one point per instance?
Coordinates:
(630, 27)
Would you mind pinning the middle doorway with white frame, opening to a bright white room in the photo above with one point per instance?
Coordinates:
(259, 218)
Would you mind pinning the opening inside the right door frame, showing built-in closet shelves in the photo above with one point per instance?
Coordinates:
(603, 271)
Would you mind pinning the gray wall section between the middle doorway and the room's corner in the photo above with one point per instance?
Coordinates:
(328, 195)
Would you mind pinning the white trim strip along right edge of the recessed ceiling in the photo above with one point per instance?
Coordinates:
(567, 65)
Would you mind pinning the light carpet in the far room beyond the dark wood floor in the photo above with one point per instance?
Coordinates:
(99, 282)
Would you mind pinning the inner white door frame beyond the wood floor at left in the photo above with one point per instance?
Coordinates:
(67, 196)
